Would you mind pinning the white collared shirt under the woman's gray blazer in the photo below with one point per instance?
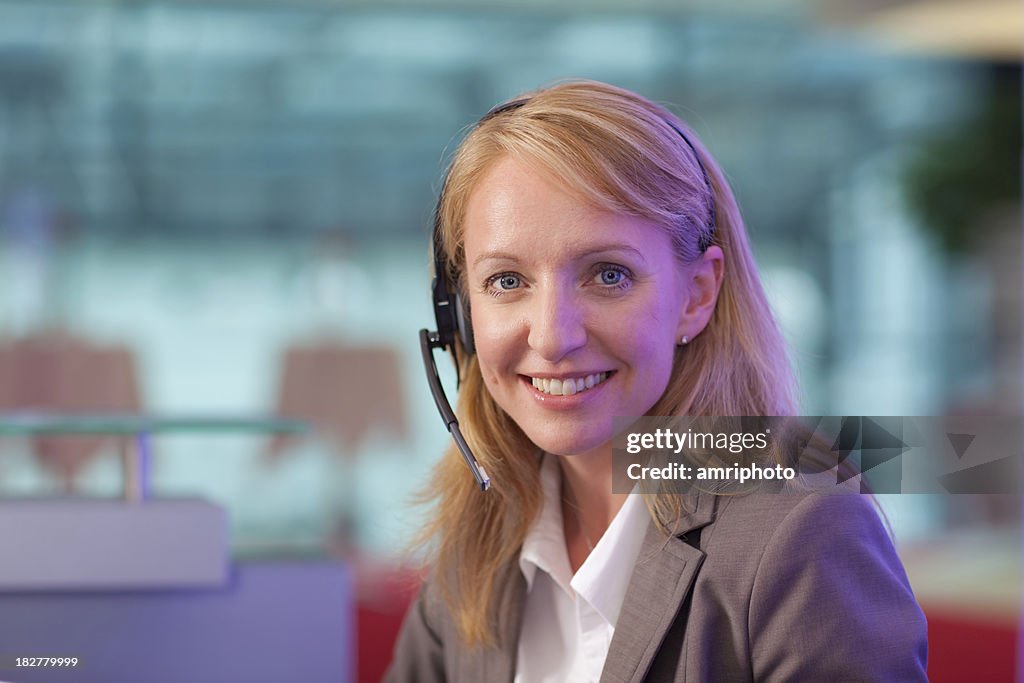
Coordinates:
(569, 621)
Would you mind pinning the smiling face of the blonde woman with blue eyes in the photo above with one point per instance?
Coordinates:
(577, 312)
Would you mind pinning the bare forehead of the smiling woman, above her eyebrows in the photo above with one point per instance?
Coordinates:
(520, 210)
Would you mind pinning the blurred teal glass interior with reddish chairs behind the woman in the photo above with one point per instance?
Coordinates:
(223, 209)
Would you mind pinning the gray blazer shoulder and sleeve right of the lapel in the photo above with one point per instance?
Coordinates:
(826, 590)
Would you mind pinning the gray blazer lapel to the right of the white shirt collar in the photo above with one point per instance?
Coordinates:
(662, 580)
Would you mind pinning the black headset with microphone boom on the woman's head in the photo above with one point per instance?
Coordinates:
(452, 314)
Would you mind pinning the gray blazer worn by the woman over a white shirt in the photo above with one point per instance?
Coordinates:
(755, 588)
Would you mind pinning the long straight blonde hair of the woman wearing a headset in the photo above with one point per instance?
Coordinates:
(618, 152)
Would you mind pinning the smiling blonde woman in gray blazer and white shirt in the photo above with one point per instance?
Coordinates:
(608, 271)
